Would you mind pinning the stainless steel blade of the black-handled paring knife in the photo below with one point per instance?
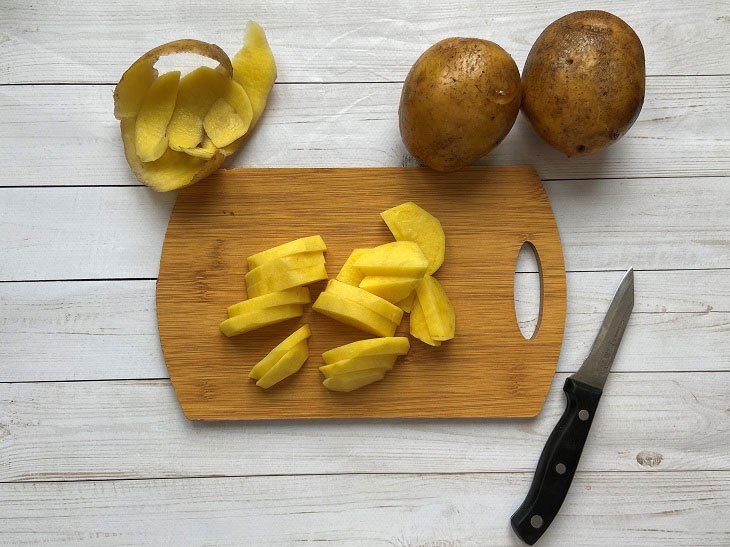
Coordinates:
(594, 369)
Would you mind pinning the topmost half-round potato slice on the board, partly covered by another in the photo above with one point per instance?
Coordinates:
(409, 222)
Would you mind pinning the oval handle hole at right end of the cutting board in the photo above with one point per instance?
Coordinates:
(528, 291)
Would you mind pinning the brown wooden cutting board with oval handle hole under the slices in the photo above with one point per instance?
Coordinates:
(488, 370)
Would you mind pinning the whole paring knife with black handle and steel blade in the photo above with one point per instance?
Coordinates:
(559, 458)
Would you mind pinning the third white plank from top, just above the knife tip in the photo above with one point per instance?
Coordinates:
(650, 224)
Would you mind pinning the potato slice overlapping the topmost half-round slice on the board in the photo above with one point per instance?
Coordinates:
(400, 258)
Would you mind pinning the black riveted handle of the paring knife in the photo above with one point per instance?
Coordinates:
(558, 462)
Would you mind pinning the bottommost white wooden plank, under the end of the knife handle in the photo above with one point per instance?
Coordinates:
(367, 510)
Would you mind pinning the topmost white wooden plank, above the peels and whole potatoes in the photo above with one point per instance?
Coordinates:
(326, 41)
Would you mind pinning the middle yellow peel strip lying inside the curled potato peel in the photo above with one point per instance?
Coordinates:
(199, 90)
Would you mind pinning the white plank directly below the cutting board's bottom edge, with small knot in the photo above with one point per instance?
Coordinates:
(67, 431)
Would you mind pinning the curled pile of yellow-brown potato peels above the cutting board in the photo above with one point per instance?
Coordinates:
(214, 110)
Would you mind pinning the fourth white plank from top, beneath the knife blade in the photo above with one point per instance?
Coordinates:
(64, 331)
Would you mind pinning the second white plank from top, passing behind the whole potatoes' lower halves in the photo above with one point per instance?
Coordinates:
(353, 125)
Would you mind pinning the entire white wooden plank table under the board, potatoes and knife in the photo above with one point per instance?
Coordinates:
(93, 447)
